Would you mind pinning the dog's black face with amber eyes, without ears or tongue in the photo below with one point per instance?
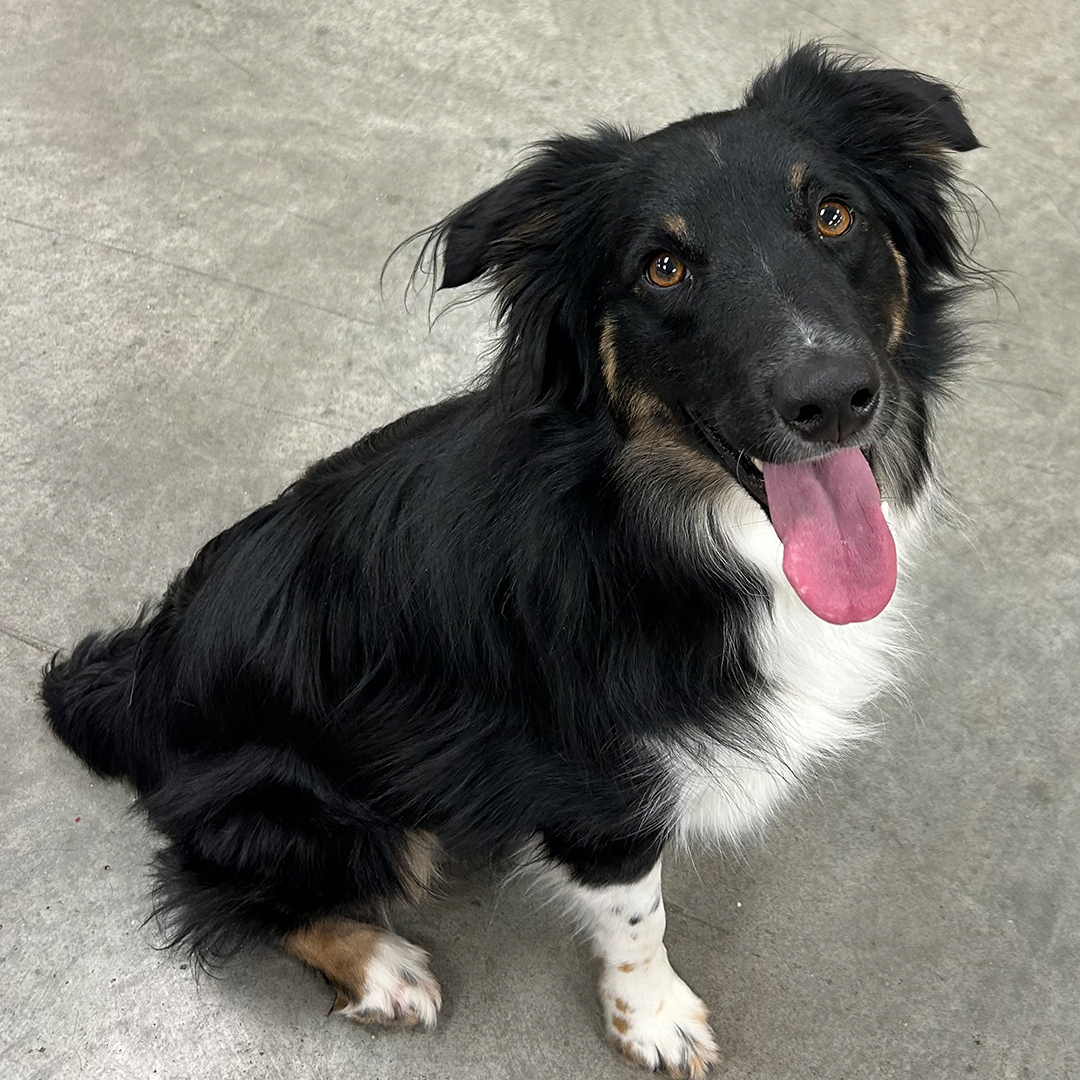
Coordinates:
(758, 298)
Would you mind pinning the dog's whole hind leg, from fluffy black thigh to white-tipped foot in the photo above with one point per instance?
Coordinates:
(264, 847)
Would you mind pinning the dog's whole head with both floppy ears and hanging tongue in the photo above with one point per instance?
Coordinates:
(754, 295)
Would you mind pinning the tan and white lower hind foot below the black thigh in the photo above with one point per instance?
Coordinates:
(380, 978)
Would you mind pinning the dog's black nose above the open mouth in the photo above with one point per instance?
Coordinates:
(826, 398)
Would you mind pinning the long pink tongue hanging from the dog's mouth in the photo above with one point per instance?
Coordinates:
(839, 552)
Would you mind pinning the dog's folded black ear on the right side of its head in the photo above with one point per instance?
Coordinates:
(894, 128)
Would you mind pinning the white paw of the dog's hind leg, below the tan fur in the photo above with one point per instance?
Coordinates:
(398, 989)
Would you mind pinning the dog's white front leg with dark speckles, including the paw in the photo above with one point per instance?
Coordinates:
(651, 1016)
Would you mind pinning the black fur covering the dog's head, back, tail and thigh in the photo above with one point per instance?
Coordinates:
(467, 623)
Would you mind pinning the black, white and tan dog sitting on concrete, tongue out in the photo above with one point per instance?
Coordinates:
(626, 592)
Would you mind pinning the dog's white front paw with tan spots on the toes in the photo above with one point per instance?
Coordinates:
(673, 1036)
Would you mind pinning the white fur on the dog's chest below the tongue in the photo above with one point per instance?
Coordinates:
(822, 678)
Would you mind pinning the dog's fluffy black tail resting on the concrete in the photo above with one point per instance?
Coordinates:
(90, 704)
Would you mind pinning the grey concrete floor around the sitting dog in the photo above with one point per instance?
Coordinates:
(196, 200)
